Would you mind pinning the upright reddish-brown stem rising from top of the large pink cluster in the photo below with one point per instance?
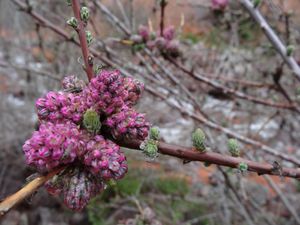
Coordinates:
(82, 38)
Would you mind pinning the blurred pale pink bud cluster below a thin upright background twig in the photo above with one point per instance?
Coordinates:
(165, 42)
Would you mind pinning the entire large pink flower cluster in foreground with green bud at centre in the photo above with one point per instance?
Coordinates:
(77, 130)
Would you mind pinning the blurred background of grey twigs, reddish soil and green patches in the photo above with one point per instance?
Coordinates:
(224, 45)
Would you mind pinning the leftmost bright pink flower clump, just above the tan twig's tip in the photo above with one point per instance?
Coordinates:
(54, 144)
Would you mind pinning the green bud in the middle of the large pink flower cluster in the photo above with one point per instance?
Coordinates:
(91, 121)
